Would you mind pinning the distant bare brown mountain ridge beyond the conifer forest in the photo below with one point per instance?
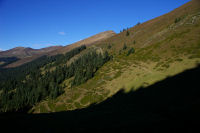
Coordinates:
(28, 54)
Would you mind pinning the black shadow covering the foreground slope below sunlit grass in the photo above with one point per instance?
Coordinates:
(171, 105)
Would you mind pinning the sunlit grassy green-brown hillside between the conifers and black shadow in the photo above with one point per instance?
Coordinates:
(162, 48)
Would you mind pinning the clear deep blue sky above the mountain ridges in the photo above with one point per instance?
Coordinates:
(42, 23)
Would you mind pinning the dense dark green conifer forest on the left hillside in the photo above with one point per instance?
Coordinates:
(29, 86)
